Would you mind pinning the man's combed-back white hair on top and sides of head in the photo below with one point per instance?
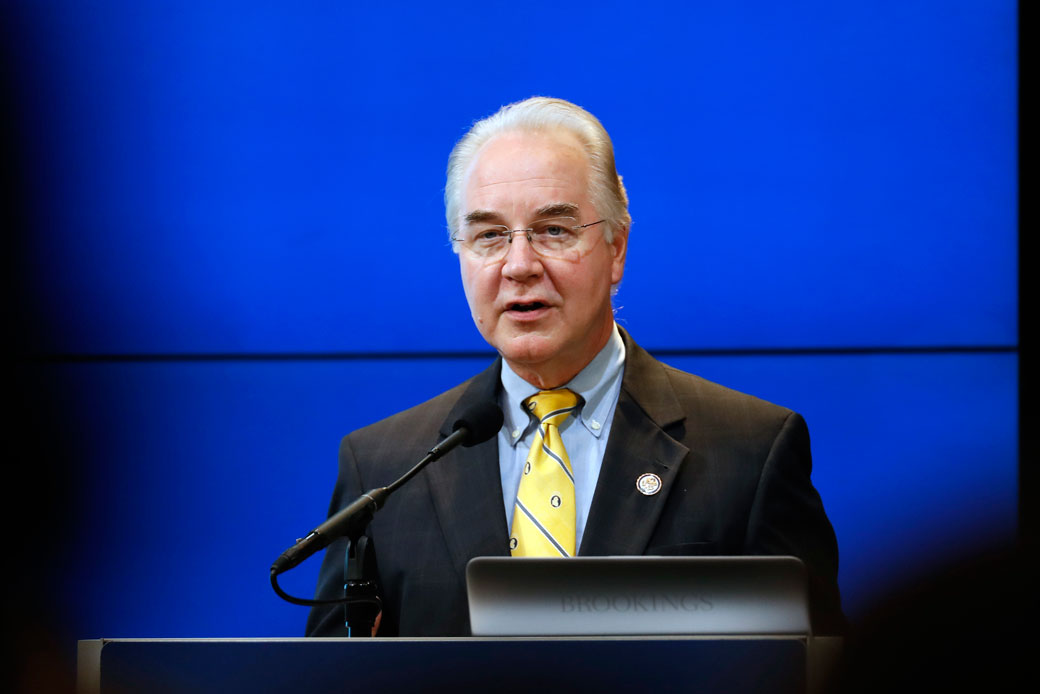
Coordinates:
(544, 115)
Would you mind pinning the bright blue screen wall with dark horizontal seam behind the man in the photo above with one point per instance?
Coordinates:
(232, 252)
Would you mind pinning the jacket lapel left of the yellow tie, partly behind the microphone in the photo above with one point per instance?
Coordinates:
(466, 485)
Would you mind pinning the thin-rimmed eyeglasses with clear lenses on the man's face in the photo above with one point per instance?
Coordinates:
(556, 238)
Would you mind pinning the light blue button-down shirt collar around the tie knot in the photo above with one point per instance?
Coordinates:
(594, 383)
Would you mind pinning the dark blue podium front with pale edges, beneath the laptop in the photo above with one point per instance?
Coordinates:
(709, 665)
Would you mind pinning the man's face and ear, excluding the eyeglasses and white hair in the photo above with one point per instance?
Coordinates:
(548, 317)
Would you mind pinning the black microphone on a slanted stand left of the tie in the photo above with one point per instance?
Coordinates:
(478, 424)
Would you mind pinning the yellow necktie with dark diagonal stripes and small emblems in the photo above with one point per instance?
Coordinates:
(543, 520)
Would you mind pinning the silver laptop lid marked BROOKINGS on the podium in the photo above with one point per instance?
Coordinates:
(638, 596)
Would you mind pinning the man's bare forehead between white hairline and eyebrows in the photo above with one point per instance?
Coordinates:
(522, 171)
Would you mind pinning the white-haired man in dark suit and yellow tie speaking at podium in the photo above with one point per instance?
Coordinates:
(635, 458)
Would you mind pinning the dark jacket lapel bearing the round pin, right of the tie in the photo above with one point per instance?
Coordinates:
(622, 519)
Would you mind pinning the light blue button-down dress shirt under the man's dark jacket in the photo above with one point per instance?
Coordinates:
(585, 433)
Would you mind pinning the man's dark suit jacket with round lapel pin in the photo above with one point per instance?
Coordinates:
(735, 473)
